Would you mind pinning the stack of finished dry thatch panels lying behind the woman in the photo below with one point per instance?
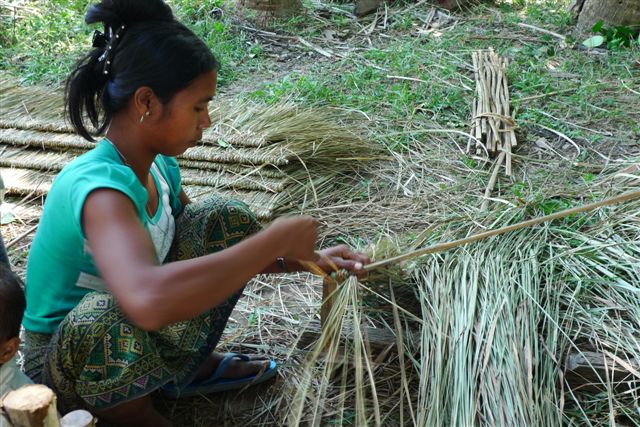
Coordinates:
(261, 155)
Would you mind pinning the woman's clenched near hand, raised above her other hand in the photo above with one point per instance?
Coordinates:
(298, 236)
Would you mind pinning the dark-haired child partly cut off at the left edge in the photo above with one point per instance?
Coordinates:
(12, 304)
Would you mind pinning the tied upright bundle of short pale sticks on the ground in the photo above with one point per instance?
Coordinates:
(492, 125)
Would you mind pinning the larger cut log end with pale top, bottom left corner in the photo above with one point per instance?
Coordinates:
(32, 405)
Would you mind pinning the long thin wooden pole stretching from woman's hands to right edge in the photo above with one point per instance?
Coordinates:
(440, 247)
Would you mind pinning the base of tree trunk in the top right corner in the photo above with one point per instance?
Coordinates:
(612, 12)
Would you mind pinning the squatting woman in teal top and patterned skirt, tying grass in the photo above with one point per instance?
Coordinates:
(129, 283)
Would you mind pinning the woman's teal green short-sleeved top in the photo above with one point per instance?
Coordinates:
(60, 268)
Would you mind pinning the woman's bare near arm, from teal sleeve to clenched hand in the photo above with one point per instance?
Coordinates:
(153, 295)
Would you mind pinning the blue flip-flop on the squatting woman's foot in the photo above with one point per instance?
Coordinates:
(215, 383)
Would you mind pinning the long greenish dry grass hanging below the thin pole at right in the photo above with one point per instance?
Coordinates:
(499, 322)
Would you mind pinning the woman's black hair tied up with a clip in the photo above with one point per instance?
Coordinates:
(152, 49)
